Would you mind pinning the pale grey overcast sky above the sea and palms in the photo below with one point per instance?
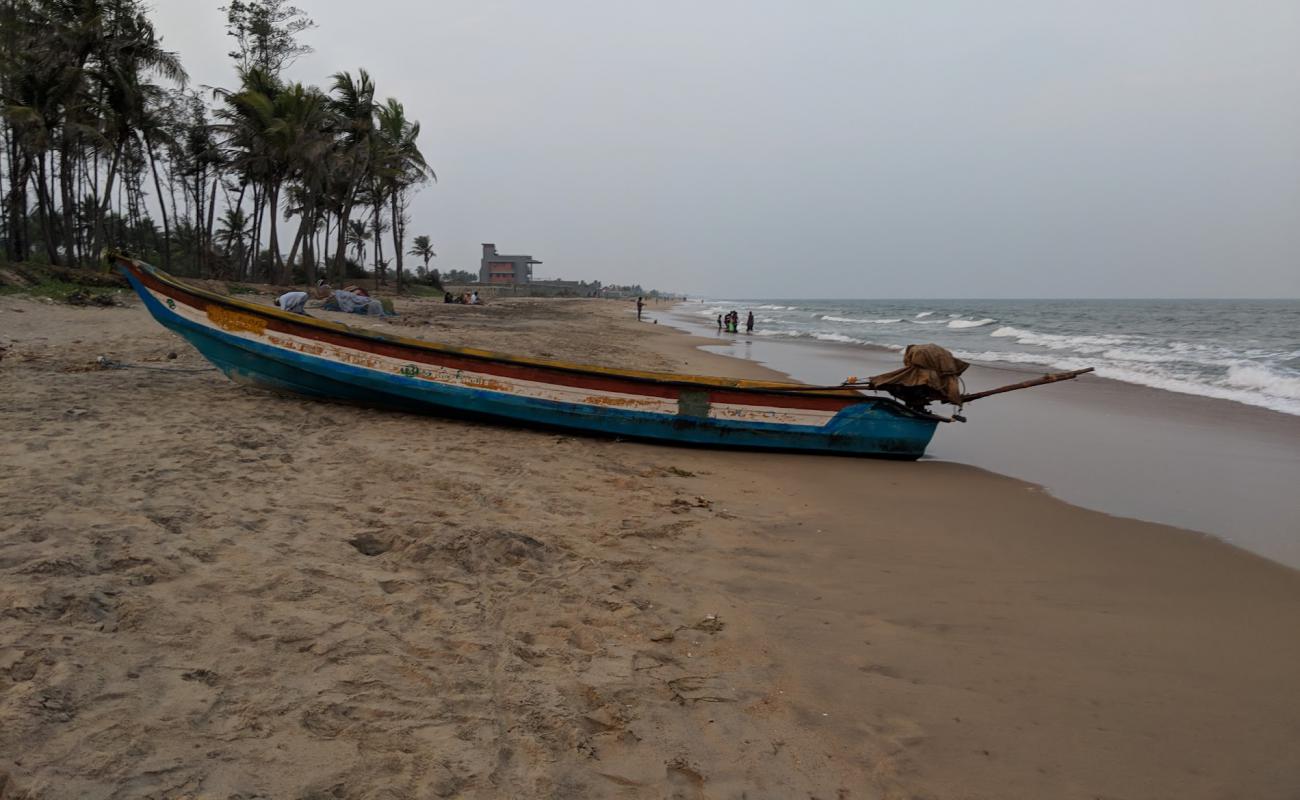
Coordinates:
(752, 149)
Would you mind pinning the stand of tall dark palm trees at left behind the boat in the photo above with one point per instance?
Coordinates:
(107, 145)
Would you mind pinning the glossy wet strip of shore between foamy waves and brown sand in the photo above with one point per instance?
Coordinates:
(1095, 443)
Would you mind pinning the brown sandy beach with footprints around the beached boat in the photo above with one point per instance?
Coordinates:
(210, 591)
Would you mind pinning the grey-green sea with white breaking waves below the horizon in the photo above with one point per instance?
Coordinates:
(1238, 351)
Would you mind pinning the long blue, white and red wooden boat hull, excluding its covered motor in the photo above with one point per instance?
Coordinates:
(291, 352)
